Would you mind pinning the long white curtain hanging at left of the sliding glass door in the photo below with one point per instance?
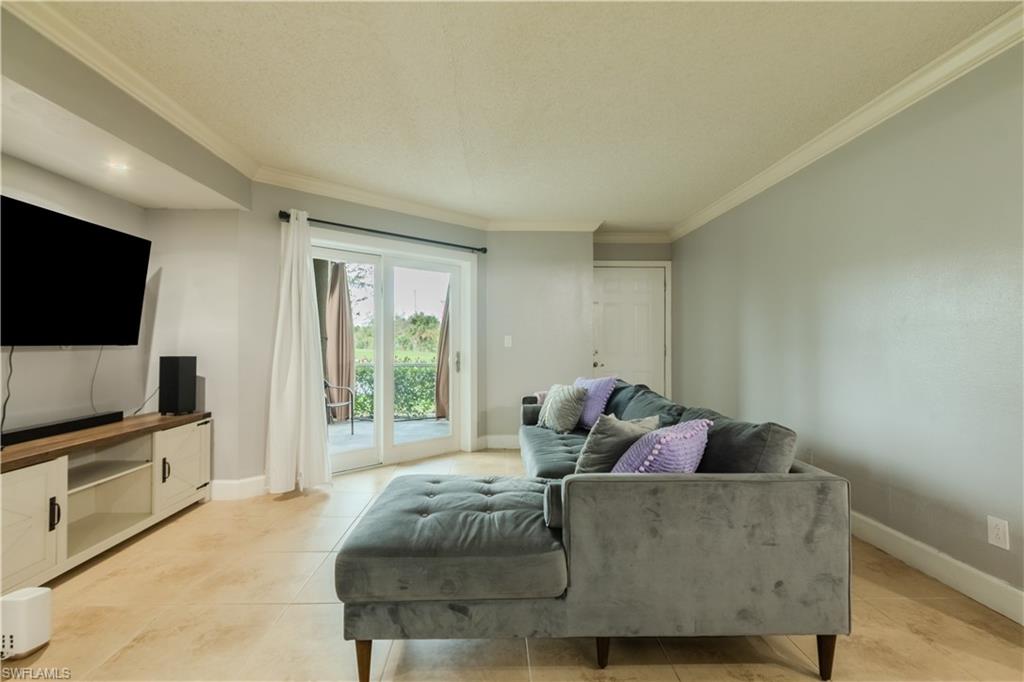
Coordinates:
(296, 434)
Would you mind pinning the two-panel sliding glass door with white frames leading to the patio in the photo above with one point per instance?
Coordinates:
(390, 357)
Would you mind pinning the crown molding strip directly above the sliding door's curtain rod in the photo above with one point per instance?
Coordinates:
(283, 179)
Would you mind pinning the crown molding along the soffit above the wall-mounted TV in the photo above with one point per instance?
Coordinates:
(56, 28)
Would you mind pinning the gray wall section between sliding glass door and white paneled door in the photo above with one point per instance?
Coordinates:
(540, 291)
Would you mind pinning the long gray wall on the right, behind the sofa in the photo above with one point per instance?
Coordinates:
(873, 302)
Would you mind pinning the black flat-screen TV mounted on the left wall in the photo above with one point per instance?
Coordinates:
(65, 282)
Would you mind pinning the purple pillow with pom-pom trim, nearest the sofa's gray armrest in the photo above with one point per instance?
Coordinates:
(675, 449)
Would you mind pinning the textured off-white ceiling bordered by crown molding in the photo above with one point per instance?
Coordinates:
(637, 115)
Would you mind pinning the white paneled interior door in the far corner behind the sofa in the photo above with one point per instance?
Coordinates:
(630, 316)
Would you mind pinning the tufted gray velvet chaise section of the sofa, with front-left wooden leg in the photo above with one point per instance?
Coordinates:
(431, 548)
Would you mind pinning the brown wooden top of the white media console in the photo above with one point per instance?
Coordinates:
(44, 450)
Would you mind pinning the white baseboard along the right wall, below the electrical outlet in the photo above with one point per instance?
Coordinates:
(989, 590)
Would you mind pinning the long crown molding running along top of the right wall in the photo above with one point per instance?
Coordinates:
(996, 38)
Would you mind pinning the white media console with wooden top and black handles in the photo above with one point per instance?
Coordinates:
(68, 498)
